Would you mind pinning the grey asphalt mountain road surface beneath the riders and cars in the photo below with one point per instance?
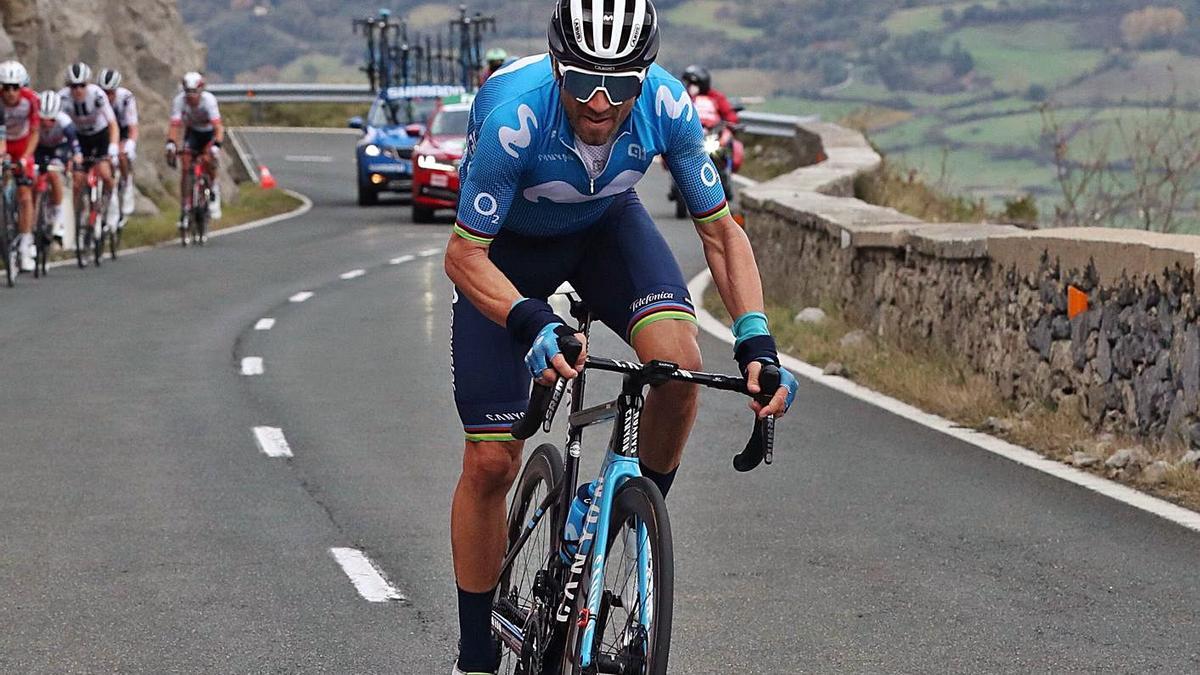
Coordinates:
(143, 531)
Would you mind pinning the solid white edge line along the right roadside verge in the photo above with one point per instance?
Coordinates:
(1025, 457)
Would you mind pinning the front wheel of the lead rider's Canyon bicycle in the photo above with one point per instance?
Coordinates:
(633, 630)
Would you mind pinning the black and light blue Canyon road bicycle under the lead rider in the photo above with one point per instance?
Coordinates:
(603, 605)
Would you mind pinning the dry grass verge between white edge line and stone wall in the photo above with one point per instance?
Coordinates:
(945, 385)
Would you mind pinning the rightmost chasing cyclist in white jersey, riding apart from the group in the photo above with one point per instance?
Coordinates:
(195, 111)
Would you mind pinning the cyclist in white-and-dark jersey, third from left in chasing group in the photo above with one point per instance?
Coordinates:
(99, 134)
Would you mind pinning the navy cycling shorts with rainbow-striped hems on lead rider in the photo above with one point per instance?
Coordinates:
(621, 267)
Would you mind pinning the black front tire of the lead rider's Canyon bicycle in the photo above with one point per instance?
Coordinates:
(638, 500)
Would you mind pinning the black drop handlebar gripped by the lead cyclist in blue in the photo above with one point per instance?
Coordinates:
(759, 450)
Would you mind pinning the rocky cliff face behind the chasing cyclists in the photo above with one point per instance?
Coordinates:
(146, 40)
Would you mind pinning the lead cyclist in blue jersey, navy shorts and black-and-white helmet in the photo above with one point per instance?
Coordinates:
(556, 145)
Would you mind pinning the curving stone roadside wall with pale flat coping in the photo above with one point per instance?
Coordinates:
(995, 295)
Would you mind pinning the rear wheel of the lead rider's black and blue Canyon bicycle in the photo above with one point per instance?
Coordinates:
(525, 596)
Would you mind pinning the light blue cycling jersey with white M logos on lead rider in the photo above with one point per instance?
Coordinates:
(521, 171)
